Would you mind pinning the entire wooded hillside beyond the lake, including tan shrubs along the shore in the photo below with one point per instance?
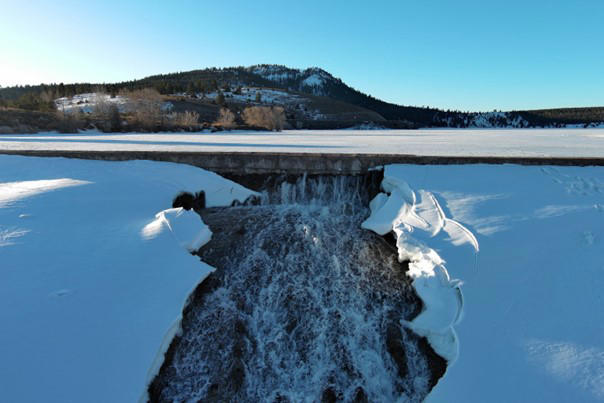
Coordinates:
(310, 98)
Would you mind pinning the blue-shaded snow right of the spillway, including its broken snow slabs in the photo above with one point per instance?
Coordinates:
(533, 323)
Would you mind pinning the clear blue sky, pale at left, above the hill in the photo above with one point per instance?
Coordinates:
(468, 55)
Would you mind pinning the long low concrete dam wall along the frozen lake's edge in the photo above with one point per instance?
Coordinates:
(244, 163)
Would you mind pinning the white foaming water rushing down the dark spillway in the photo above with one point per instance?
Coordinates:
(304, 306)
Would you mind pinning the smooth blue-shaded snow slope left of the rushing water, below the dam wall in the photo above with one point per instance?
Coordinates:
(94, 273)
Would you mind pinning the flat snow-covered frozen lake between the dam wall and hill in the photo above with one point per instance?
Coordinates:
(450, 142)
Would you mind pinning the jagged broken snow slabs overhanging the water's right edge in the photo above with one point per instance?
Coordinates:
(408, 213)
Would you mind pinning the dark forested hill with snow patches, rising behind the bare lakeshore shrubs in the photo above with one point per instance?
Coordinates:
(311, 98)
